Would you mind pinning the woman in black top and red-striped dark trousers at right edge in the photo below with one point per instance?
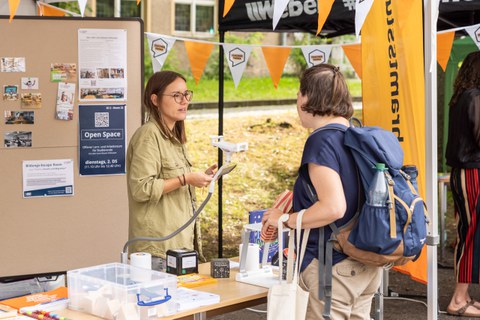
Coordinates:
(463, 155)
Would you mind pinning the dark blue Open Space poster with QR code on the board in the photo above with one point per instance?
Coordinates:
(102, 139)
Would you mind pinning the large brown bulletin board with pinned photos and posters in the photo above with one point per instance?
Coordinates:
(43, 235)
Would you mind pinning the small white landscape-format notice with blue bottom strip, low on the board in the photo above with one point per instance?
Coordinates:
(47, 178)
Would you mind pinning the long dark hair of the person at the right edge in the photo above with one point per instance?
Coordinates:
(468, 76)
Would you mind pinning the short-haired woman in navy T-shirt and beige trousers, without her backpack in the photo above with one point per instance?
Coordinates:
(323, 102)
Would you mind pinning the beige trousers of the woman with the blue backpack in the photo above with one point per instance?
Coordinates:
(353, 287)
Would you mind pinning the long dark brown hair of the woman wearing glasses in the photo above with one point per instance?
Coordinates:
(157, 84)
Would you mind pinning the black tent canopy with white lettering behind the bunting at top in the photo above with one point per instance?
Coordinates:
(301, 16)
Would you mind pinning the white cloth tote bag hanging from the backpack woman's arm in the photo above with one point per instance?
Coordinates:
(287, 300)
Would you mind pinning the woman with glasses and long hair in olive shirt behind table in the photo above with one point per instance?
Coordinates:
(160, 181)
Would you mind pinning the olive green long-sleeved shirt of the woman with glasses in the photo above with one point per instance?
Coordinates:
(151, 159)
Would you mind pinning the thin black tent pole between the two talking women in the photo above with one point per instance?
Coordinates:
(220, 133)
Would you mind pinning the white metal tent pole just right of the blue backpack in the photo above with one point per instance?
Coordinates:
(430, 41)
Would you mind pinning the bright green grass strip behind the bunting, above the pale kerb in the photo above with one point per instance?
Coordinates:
(255, 89)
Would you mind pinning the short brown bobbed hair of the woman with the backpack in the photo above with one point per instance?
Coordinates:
(327, 91)
